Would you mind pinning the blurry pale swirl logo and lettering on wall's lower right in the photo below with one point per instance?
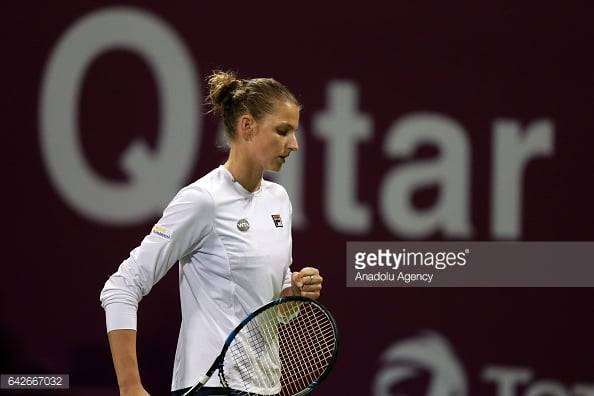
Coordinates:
(430, 362)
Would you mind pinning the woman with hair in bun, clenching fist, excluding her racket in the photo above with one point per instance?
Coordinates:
(230, 232)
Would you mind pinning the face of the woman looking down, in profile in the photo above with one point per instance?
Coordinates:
(274, 136)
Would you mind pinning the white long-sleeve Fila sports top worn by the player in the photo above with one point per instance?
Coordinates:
(224, 272)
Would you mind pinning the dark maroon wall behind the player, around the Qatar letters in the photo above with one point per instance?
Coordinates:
(472, 64)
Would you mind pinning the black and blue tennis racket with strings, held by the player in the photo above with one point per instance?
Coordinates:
(286, 347)
